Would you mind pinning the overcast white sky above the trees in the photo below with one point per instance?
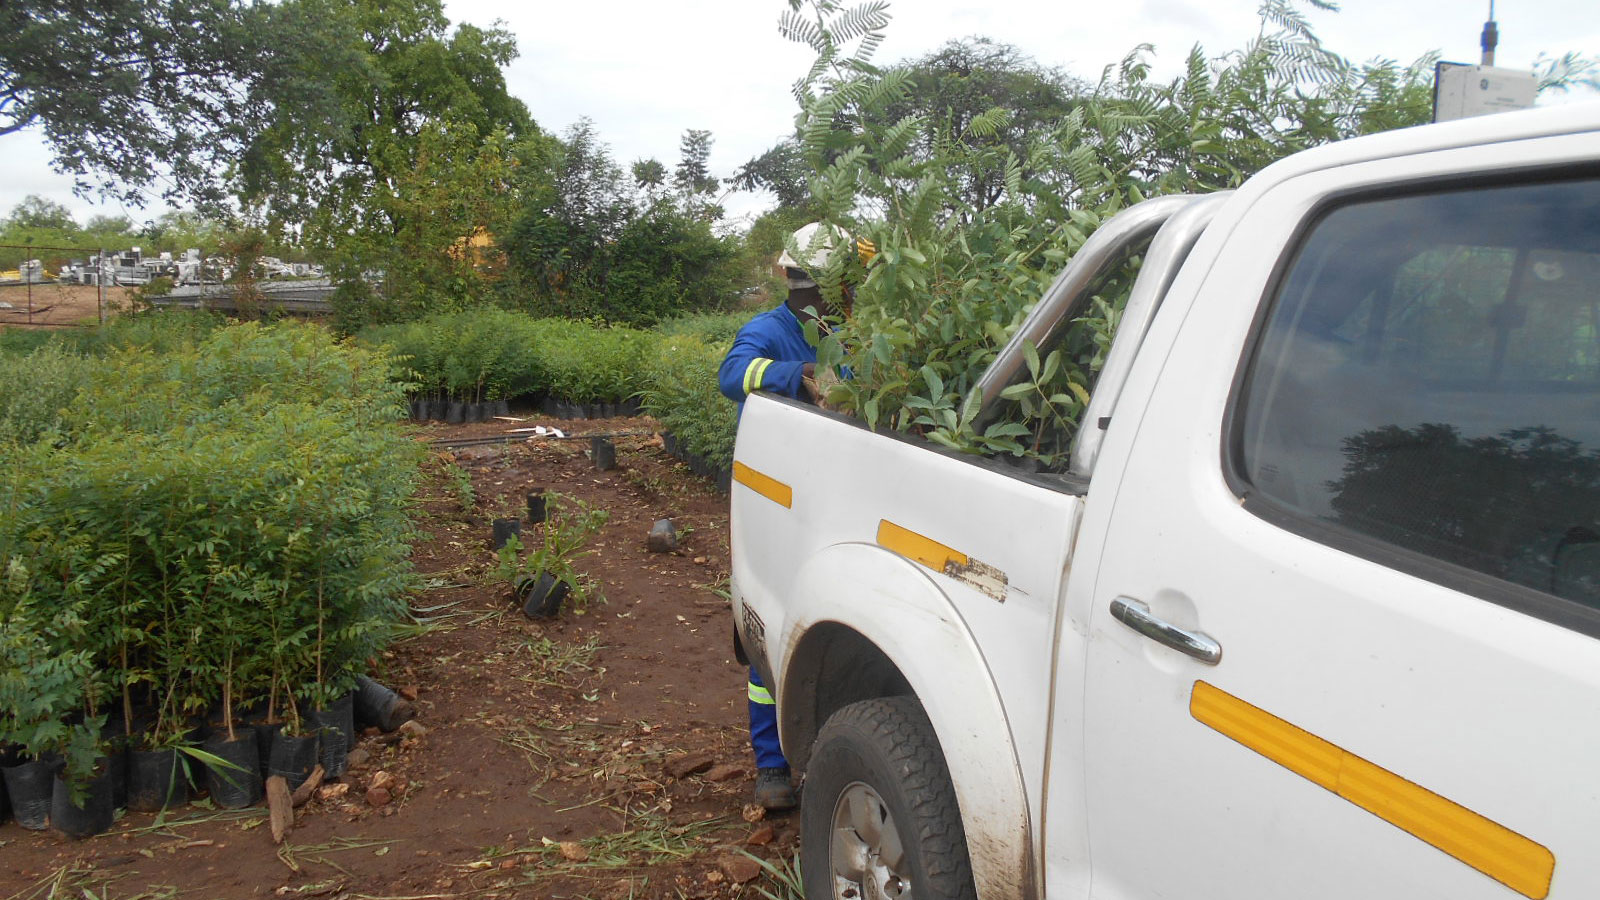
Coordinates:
(646, 71)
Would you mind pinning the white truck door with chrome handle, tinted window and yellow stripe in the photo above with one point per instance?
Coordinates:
(1345, 632)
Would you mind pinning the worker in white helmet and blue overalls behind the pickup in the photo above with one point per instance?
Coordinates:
(772, 353)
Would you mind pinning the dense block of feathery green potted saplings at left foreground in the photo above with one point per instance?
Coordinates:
(223, 523)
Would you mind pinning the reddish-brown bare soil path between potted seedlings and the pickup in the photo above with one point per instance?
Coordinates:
(550, 752)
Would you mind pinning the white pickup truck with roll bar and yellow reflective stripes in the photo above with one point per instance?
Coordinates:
(1314, 613)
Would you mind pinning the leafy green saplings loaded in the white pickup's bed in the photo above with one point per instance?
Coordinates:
(974, 219)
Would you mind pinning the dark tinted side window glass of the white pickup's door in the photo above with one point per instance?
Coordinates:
(1430, 377)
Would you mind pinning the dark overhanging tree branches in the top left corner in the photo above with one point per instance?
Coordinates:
(137, 97)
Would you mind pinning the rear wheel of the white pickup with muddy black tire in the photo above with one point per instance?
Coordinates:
(878, 776)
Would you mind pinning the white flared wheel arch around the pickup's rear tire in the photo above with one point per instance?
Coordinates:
(905, 637)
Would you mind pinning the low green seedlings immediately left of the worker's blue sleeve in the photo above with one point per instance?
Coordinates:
(682, 395)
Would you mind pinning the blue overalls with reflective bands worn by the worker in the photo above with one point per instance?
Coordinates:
(769, 355)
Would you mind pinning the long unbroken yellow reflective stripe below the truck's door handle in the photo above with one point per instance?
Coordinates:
(1481, 843)
